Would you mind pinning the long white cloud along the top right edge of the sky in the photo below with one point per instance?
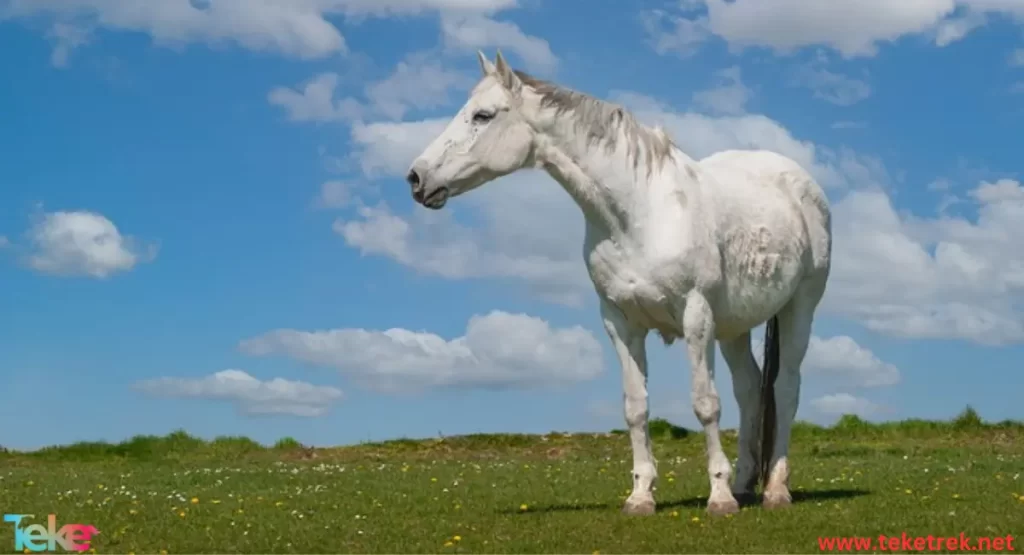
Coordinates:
(855, 29)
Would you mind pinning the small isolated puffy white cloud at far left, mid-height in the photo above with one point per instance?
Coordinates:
(83, 244)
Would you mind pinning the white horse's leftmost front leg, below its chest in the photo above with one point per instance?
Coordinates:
(630, 344)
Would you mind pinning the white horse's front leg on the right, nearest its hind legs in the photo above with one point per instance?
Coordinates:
(699, 326)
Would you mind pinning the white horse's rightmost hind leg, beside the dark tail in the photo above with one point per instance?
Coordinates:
(785, 351)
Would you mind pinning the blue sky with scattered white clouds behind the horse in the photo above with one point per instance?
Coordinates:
(215, 187)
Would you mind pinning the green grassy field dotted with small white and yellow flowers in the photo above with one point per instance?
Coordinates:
(557, 493)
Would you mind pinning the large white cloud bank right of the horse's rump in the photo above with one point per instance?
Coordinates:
(942, 278)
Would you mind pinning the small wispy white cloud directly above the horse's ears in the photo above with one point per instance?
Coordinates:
(468, 33)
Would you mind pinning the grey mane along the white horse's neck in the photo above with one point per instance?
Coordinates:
(605, 123)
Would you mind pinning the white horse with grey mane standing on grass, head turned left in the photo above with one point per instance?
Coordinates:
(700, 250)
